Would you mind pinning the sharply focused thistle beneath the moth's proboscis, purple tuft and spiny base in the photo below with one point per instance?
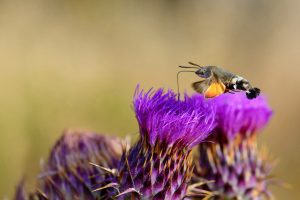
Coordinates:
(159, 165)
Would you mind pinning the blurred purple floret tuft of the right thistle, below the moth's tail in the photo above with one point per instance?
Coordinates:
(237, 114)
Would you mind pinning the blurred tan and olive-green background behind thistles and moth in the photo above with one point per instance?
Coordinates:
(75, 64)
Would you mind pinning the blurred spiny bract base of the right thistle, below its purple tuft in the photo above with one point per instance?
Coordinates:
(237, 170)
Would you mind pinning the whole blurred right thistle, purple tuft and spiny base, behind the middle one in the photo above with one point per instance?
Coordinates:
(232, 164)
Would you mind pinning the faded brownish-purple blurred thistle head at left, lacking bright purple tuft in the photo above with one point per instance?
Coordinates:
(69, 174)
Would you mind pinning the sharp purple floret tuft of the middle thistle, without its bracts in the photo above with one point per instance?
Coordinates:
(165, 119)
